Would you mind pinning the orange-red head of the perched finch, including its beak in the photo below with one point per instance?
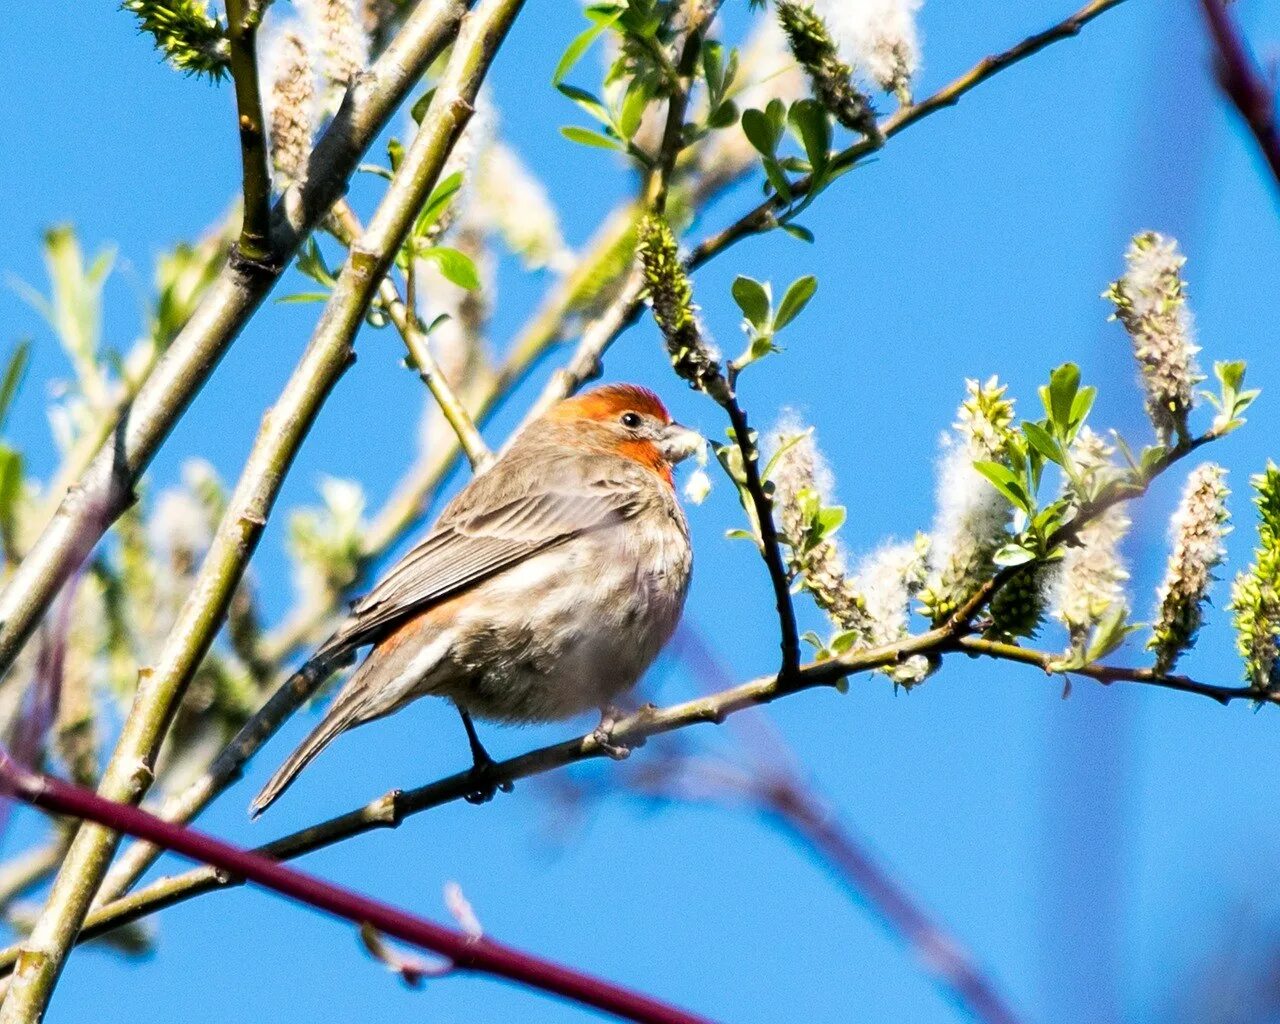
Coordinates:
(632, 422)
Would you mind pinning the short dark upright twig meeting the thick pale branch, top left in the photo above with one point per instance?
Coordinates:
(255, 241)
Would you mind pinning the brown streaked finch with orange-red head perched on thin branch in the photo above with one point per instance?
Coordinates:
(545, 589)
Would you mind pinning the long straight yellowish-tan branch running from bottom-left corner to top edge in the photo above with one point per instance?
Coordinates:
(159, 692)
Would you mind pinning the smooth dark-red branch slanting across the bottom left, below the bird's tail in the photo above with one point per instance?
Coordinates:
(465, 953)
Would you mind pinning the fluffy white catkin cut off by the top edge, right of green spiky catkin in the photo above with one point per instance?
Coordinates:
(877, 38)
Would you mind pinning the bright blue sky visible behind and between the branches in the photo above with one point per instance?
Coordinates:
(1094, 853)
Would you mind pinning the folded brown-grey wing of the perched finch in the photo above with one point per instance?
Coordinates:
(483, 532)
